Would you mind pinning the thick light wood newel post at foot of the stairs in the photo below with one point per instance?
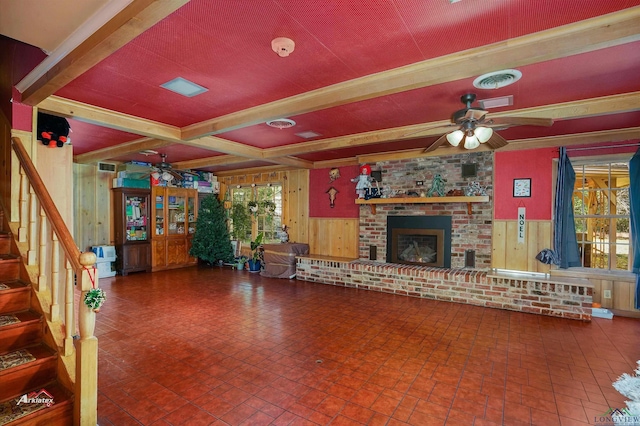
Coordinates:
(86, 395)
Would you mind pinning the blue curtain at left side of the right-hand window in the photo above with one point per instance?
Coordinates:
(565, 242)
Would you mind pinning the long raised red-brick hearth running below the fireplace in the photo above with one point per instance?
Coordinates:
(567, 298)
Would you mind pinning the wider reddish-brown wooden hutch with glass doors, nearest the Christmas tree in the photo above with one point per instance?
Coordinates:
(174, 213)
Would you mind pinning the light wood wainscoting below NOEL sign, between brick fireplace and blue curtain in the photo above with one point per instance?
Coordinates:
(507, 253)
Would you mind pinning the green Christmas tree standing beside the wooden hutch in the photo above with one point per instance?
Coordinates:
(211, 241)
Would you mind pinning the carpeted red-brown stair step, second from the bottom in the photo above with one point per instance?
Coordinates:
(25, 369)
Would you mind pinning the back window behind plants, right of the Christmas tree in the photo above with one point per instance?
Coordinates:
(268, 218)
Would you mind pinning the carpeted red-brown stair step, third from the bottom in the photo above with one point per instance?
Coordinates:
(20, 329)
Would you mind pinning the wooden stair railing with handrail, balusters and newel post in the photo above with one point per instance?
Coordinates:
(38, 213)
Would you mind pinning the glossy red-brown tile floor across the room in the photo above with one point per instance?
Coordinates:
(199, 346)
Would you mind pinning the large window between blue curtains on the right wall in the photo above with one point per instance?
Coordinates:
(601, 210)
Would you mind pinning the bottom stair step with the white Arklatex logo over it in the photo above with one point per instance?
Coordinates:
(60, 413)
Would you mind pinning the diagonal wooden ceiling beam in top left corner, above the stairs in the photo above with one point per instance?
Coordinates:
(133, 20)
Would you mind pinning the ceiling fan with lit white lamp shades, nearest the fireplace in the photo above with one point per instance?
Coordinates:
(475, 128)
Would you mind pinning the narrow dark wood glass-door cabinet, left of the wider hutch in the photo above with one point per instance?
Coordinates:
(131, 220)
